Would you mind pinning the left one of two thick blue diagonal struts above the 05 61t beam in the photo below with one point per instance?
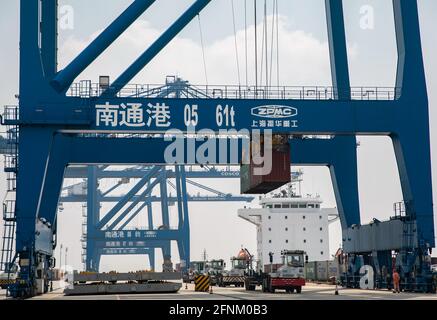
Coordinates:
(66, 77)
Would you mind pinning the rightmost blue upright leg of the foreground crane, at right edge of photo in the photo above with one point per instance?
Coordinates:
(414, 170)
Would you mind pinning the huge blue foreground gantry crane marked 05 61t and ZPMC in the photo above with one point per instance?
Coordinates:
(62, 124)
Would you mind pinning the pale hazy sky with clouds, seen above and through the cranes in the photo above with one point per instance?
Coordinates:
(303, 60)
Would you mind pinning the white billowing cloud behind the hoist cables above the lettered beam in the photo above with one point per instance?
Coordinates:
(304, 59)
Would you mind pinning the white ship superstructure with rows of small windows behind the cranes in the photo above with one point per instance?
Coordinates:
(286, 221)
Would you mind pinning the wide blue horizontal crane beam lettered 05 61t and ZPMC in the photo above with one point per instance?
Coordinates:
(321, 117)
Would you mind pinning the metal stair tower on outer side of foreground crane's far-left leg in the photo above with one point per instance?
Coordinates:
(10, 120)
